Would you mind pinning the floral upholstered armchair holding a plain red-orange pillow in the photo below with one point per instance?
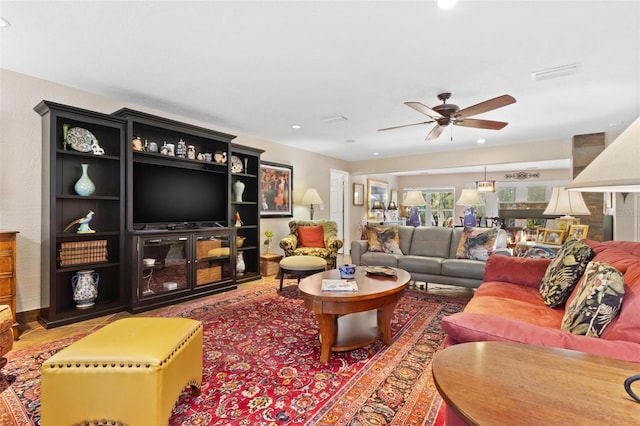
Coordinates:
(291, 244)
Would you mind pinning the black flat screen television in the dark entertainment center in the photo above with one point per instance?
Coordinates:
(175, 196)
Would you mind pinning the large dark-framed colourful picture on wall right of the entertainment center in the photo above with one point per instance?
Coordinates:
(276, 189)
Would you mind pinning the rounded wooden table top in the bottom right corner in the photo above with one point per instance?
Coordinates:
(487, 383)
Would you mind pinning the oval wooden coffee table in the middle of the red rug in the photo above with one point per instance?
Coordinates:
(353, 319)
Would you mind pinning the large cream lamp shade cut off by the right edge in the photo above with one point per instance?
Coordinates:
(616, 169)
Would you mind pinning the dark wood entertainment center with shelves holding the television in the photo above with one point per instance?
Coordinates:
(168, 222)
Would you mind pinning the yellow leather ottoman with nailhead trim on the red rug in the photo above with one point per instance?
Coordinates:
(129, 372)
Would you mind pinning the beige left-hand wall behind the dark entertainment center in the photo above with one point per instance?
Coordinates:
(20, 167)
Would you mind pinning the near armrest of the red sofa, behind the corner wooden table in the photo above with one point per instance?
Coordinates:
(467, 327)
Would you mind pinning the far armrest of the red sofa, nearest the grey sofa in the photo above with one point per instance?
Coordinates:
(516, 270)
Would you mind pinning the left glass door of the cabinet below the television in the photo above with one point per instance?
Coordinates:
(164, 265)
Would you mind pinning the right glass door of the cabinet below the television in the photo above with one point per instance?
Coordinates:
(213, 258)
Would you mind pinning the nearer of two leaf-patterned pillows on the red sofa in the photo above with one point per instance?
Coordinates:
(598, 301)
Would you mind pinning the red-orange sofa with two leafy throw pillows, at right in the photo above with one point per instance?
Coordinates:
(508, 307)
